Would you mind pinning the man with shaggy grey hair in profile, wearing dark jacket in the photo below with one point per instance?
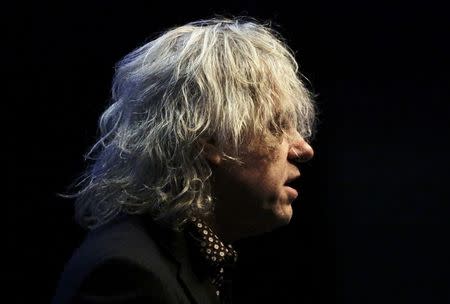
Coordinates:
(199, 147)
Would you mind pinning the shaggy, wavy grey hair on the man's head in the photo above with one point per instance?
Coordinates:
(229, 80)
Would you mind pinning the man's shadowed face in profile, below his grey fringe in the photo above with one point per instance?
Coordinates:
(256, 197)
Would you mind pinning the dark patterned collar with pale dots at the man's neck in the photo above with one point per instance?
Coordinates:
(218, 258)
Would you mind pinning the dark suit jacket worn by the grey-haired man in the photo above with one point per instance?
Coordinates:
(131, 260)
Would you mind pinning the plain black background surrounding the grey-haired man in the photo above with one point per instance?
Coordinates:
(372, 225)
